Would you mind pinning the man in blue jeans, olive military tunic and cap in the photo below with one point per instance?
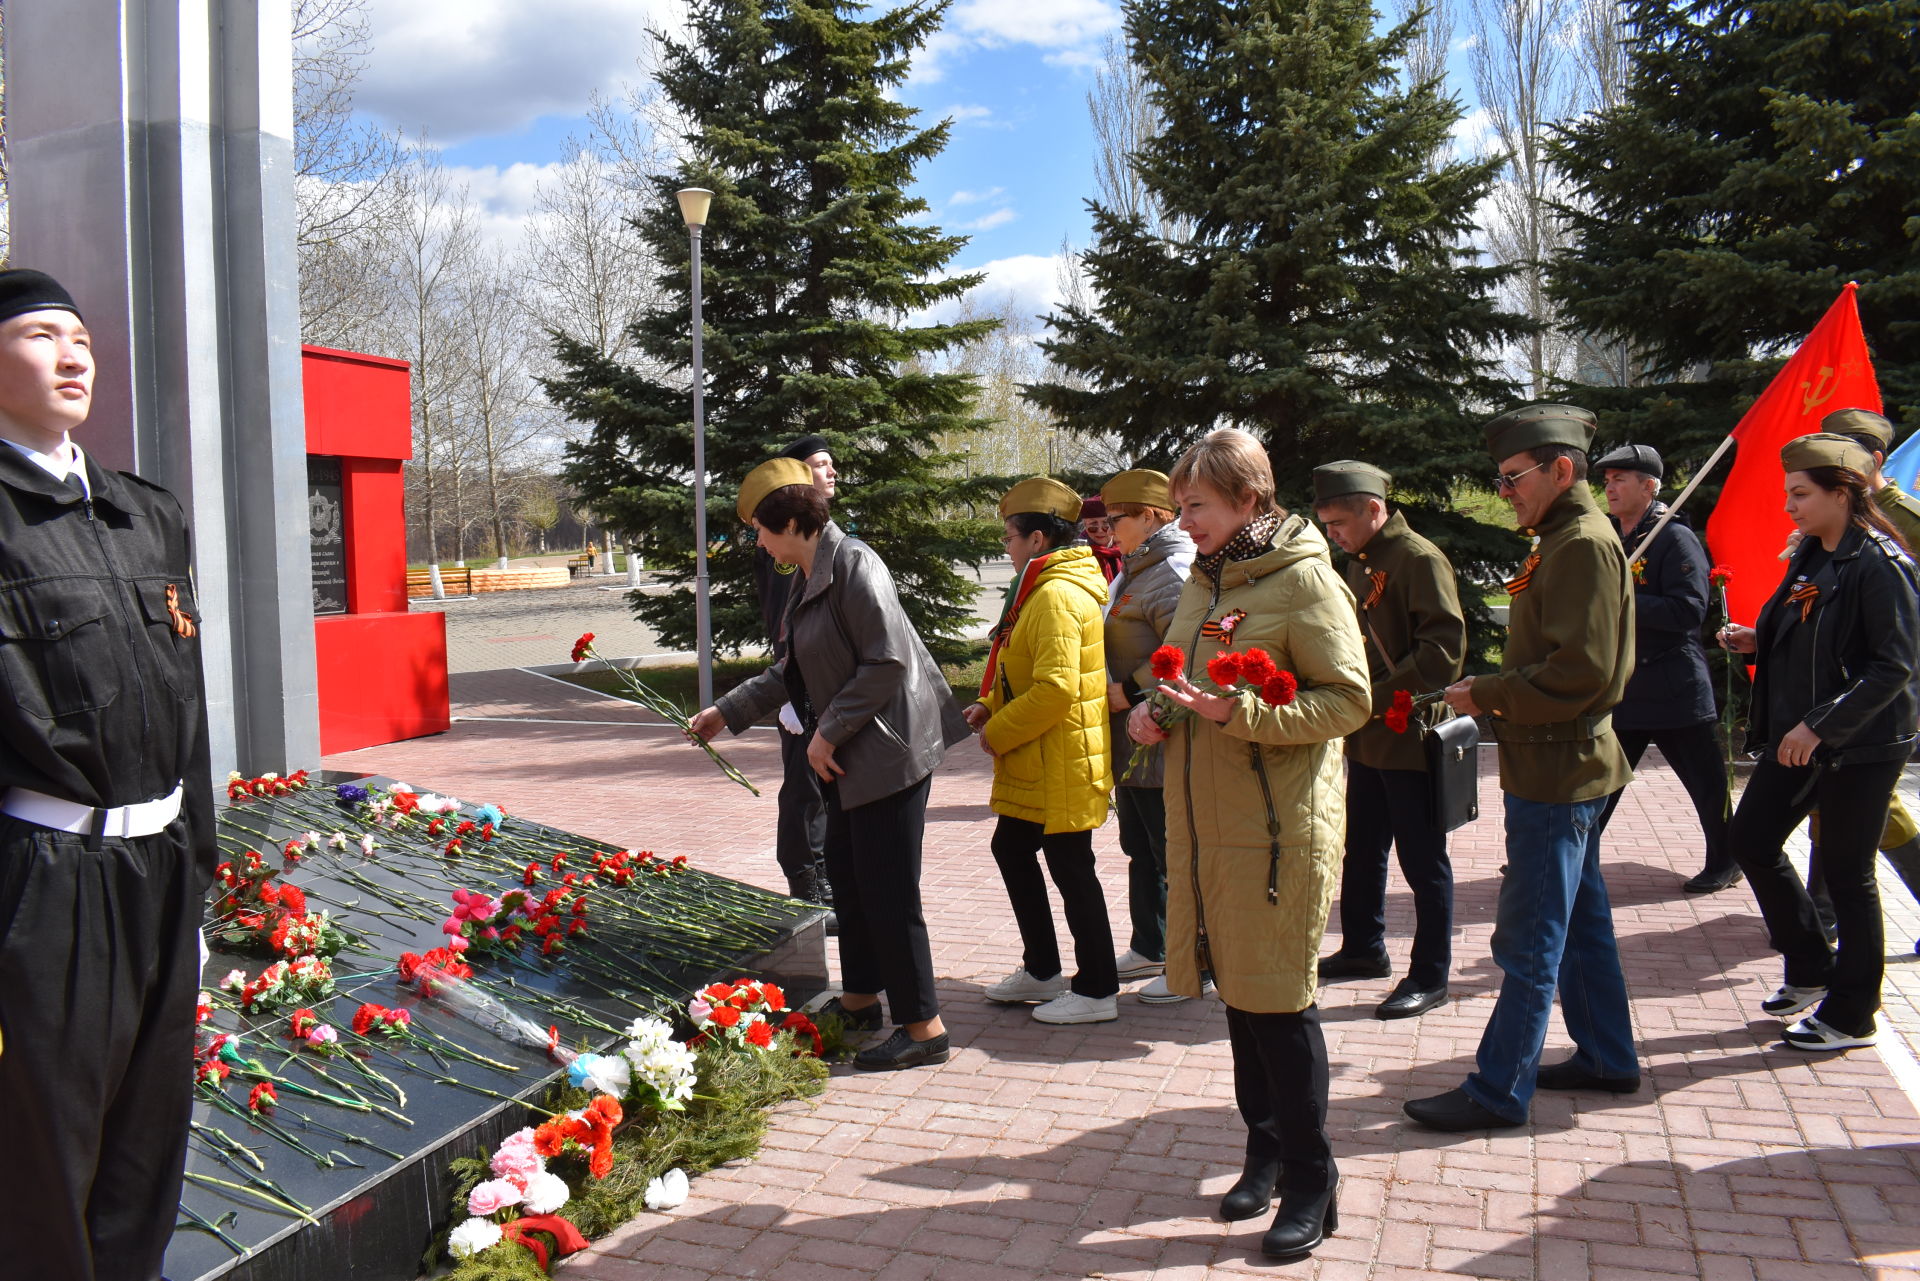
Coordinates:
(1562, 673)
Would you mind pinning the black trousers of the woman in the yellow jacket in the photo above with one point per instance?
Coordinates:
(1017, 846)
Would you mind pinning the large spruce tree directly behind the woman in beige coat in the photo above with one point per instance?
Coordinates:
(1318, 287)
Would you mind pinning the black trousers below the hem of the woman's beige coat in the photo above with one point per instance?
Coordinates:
(1280, 1080)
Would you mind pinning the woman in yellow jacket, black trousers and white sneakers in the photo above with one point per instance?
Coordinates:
(1045, 723)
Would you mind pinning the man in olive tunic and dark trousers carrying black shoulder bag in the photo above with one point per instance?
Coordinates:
(1418, 644)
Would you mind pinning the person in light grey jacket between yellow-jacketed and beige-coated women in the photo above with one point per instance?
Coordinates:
(1143, 598)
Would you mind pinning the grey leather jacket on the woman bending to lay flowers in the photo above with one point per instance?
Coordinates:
(873, 685)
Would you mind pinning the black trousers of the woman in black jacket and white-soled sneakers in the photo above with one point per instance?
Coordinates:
(1854, 810)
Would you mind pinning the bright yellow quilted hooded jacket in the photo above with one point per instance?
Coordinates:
(1047, 727)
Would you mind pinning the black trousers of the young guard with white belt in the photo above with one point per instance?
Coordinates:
(99, 975)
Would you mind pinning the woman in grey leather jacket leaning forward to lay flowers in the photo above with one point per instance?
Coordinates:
(880, 719)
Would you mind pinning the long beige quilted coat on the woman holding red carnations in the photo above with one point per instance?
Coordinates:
(1243, 904)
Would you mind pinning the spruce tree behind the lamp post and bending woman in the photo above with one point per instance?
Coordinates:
(813, 262)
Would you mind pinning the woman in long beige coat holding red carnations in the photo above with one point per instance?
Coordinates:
(1257, 815)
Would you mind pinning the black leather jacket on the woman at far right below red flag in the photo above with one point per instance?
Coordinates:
(1848, 669)
